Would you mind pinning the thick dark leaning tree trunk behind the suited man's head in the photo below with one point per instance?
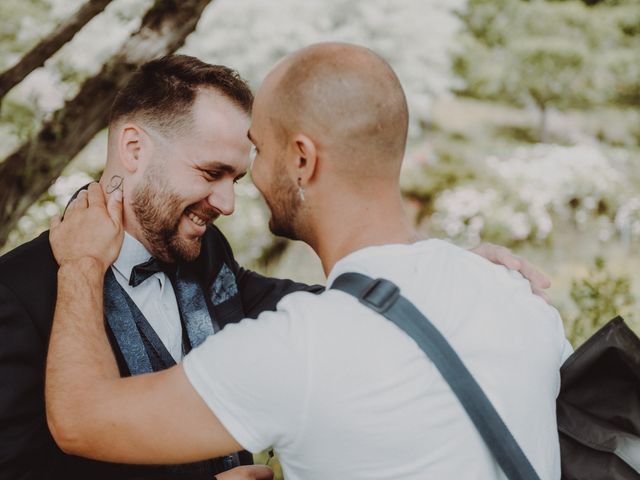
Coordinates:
(29, 171)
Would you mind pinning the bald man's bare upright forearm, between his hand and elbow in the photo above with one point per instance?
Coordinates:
(80, 361)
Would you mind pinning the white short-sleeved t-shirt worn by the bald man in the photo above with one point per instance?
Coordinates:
(342, 393)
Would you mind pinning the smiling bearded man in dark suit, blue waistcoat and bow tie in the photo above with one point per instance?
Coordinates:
(177, 144)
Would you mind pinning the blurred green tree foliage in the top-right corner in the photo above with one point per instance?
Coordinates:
(559, 54)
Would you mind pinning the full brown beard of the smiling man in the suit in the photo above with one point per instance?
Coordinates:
(159, 211)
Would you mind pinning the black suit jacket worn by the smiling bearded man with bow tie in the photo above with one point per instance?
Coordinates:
(28, 281)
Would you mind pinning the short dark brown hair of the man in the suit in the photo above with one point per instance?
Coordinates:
(163, 91)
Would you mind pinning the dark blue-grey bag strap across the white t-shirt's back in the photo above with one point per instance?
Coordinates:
(384, 297)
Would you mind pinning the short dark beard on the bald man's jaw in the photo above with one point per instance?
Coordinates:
(284, 204)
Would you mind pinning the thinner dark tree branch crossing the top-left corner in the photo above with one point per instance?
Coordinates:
(50, 45)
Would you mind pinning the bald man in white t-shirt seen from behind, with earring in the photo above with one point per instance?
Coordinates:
(336, 389)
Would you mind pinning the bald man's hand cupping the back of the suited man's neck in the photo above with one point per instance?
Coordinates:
(92, 227)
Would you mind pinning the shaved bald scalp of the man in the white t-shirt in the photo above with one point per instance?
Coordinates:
(347, 99)
